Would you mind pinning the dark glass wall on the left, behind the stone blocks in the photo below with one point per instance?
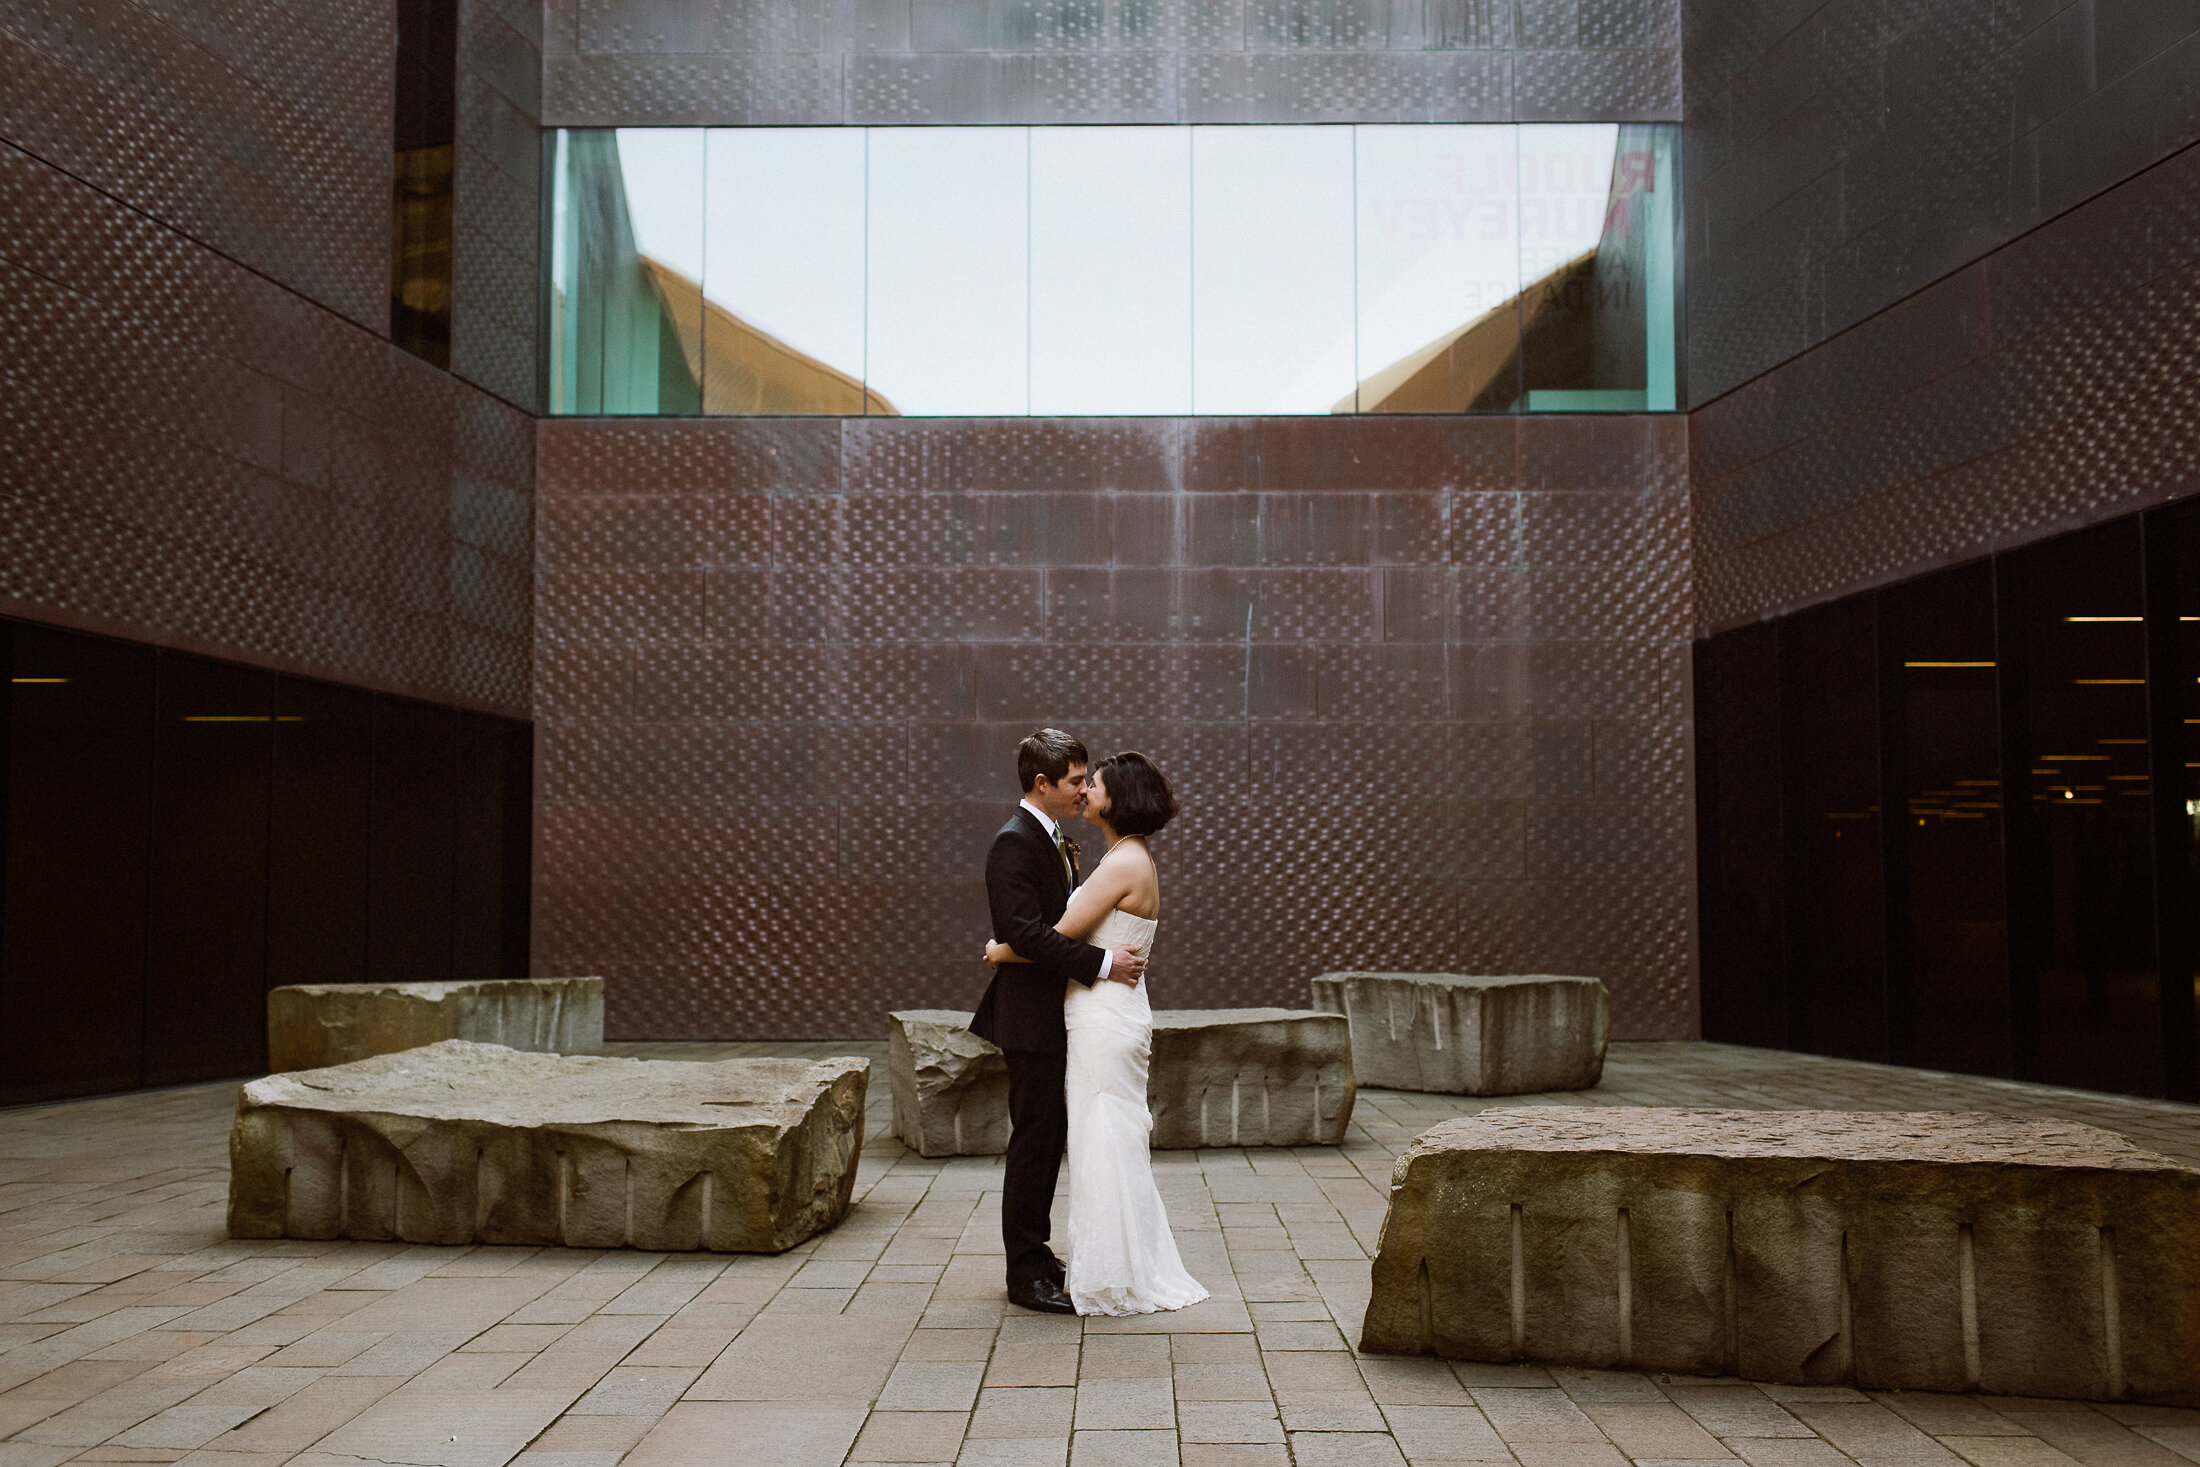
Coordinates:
(184, 835)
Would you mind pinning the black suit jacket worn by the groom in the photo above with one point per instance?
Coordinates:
(1028, 892)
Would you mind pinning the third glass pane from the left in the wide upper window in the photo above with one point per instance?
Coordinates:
(949, 269)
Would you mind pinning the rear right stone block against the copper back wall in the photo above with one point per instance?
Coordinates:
(1462, 1035)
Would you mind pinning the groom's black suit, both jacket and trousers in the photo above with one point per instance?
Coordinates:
(1022, 1015)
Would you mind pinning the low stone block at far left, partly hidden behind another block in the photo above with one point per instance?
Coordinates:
(335, 1024)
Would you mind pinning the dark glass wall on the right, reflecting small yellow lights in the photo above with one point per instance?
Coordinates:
(1974, 795)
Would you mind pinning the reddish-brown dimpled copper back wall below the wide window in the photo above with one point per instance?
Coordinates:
(1420, 683)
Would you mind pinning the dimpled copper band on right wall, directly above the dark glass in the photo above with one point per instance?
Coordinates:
(1924, 439)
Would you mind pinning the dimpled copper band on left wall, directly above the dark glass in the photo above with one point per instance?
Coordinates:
(208, 461)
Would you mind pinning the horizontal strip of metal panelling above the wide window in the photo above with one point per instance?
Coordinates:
(811, 63)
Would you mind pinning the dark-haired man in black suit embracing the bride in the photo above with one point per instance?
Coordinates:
(1031, 874)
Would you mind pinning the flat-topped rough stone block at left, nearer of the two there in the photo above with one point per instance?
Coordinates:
(467, 1143)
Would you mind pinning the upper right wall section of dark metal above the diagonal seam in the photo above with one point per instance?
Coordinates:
(1845, 157)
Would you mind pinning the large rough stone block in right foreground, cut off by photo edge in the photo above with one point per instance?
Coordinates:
(1884, 1250)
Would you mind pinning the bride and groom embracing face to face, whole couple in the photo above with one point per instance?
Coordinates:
(1068, 1008)
